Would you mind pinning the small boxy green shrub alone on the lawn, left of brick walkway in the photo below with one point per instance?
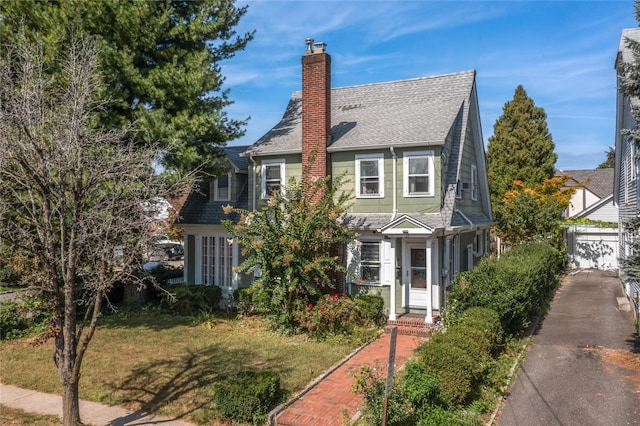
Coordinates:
(248, 396)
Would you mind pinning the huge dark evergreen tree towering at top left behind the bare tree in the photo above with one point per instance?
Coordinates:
(160, 61)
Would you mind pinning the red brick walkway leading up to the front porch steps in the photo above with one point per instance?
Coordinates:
(331, 401)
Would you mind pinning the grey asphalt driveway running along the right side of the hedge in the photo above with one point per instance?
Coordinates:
(583, 367)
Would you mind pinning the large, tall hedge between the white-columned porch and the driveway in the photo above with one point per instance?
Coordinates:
(518, 285)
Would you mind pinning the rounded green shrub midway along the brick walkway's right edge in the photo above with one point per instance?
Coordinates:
(454, 370)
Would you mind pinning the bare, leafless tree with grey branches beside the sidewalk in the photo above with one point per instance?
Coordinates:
(77, 199)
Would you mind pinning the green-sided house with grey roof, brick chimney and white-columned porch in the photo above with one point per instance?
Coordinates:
(414, 154)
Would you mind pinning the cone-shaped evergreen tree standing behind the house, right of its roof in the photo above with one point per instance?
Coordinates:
(521, 147)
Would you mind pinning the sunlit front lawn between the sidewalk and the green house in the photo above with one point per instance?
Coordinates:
(168, 365)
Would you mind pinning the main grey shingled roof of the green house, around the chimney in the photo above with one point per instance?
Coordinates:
(418, 111)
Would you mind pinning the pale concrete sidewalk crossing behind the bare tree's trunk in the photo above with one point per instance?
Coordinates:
(91, 413)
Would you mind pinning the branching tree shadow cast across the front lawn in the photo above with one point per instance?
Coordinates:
(190, 378)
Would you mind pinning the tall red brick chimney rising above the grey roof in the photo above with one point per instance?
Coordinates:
(316, 109)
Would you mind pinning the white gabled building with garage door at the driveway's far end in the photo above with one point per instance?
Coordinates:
(590, 246)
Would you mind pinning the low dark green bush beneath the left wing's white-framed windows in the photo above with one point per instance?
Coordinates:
(191, 300)
